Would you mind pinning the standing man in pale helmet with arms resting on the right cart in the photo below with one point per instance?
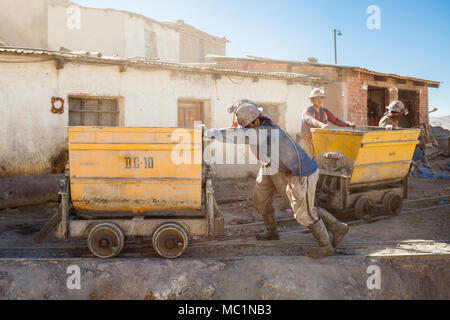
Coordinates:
(317, 116)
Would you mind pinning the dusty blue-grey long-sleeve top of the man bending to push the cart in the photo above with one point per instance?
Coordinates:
(288, 156)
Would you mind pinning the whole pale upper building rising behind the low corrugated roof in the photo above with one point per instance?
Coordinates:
(57, 24)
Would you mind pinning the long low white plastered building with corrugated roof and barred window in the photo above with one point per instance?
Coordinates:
(111, 91)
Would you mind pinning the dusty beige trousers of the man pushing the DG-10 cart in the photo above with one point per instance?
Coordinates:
(300, 192)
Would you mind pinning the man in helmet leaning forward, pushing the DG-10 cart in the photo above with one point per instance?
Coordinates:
(286, 168)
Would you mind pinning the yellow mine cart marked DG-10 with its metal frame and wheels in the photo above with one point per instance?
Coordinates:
(137, 182)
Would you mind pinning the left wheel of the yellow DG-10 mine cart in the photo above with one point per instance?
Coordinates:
(105, 240)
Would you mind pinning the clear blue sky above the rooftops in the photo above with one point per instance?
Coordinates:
(414, 38)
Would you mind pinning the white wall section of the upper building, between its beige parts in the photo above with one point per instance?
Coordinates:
(110, 32)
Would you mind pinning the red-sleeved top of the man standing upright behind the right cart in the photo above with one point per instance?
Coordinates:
(313, 119)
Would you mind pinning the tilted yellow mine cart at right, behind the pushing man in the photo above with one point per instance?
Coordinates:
(363, 166)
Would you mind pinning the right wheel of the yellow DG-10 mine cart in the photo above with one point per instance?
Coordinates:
(170, 240)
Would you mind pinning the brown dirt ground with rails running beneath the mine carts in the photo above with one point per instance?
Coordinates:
(412, 250)
